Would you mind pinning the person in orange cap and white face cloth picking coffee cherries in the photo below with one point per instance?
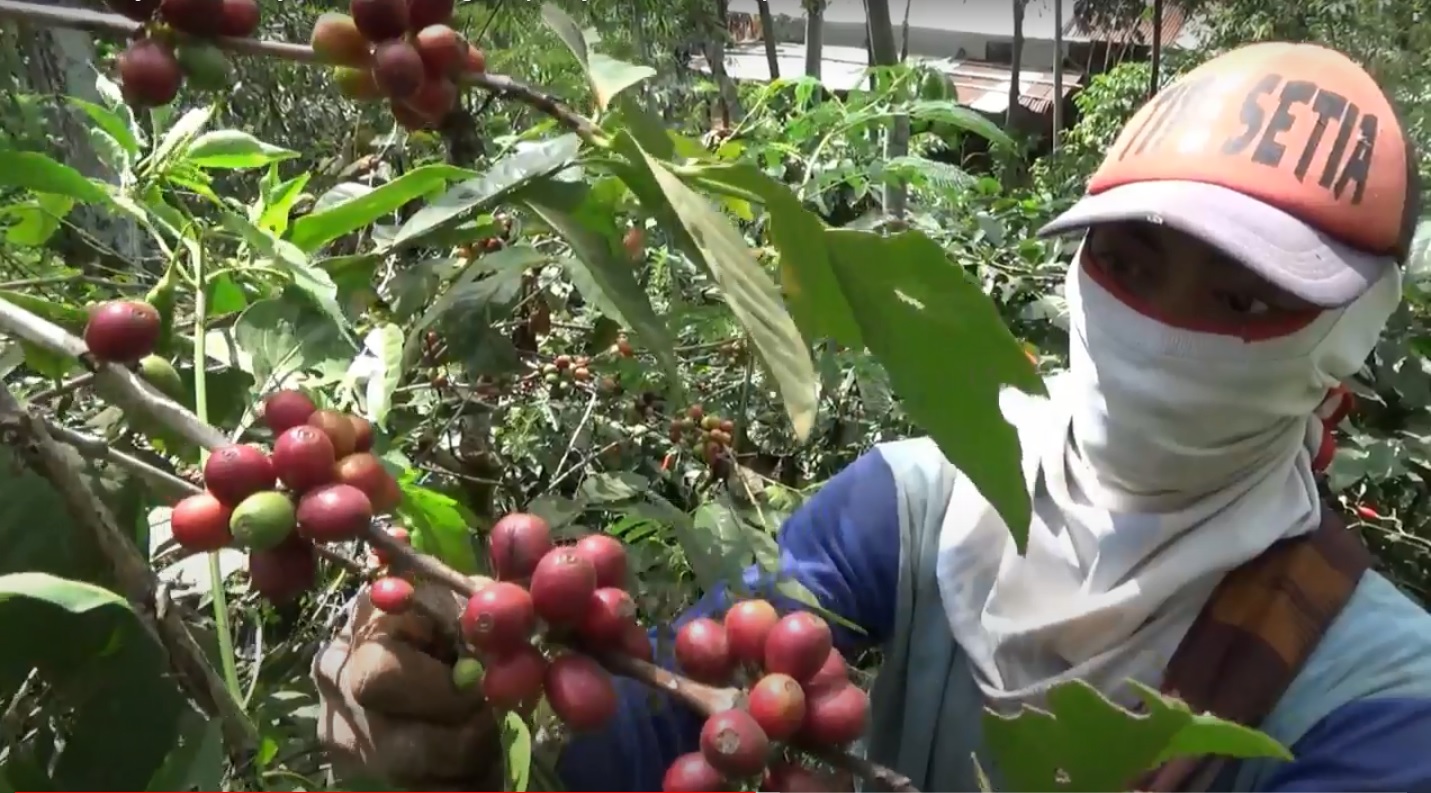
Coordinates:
(1243, 254)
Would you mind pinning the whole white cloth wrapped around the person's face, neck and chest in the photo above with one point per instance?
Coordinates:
(1163, 460)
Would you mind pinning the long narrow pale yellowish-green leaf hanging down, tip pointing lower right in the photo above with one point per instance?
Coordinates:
(748, 290)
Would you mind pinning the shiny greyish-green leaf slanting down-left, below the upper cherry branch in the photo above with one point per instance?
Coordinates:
(477, 194)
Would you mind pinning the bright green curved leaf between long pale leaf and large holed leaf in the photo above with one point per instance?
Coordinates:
(806, 274)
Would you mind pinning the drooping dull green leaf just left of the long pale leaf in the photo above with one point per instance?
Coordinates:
(603, 276)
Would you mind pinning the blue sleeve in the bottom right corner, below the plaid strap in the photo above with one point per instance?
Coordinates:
(1369, 746)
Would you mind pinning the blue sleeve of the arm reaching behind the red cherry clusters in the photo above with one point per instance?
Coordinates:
(844, 546)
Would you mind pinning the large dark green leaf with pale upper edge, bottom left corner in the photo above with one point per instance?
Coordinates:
(102, 665)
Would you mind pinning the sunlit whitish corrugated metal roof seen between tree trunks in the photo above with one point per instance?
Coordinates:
(980, 85)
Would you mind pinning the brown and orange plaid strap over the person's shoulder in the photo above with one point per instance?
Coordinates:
(1256, 633)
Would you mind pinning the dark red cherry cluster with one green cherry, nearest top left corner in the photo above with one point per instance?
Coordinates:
(178, 44)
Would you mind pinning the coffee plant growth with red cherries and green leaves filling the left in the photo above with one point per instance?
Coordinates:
(566, 384)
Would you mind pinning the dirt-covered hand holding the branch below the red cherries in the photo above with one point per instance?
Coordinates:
(389, 706)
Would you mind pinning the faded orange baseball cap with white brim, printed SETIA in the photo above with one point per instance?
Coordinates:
(1287, 158)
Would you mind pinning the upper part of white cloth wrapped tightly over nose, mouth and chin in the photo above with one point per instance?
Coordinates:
(1167, 416)
